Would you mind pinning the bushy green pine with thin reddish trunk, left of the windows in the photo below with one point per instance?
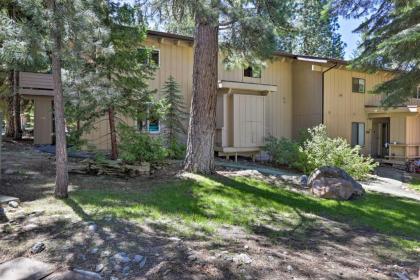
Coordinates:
(112, 79)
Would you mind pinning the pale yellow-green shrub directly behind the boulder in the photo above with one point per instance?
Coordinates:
(320, 150)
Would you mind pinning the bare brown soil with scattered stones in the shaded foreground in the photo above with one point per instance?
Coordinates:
(322, 249)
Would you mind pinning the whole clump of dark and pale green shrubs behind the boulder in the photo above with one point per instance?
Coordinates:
(319, 150)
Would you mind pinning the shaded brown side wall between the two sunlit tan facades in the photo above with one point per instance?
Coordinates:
(307, 97)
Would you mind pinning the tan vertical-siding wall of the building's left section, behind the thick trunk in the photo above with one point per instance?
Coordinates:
(176, 59)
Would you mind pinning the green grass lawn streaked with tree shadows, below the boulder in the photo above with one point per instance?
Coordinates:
(202, 204)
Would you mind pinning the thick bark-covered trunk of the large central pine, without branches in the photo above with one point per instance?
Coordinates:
(200, 150)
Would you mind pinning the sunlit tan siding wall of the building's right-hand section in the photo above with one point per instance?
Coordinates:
(342, 106)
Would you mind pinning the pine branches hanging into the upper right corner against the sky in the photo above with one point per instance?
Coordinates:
(390, 39)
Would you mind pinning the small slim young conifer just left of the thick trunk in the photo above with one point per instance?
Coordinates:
(175, 115)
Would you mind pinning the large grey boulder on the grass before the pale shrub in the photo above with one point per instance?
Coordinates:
(334, 183)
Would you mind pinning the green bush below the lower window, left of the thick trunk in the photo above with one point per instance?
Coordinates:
(138, 147)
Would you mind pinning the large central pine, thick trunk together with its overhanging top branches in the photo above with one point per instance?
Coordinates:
(245, 31)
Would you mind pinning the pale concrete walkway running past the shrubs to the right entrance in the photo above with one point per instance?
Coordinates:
(387, 181)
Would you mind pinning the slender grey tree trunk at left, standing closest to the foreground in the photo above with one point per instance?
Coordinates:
(61, 181)
